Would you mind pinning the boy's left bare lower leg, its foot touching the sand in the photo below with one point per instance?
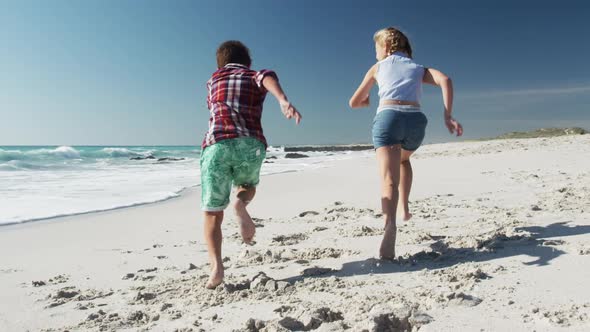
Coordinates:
(213, 237)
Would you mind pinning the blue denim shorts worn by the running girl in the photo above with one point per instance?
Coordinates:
(392, 127)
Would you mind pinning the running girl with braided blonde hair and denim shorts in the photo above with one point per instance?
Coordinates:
(399, 126)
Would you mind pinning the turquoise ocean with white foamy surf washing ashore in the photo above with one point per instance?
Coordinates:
(43, 182)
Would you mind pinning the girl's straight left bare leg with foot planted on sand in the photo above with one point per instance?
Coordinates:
(388, 158)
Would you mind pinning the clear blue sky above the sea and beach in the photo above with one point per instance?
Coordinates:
(134, 72)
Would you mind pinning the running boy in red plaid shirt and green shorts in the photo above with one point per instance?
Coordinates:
(234, 146)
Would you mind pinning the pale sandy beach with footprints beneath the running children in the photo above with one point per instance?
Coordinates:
(500, 240)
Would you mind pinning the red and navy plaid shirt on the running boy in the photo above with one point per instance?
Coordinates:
(235, 97)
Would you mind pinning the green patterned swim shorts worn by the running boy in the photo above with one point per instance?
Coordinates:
(236, 161)
